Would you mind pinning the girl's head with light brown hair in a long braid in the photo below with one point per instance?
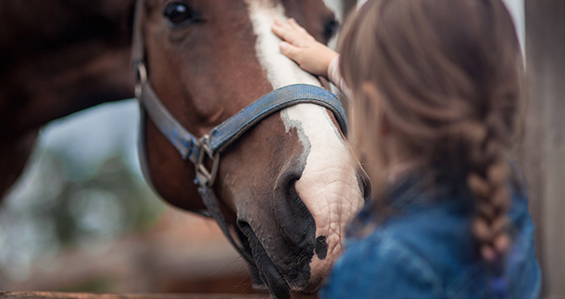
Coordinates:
(440, 79)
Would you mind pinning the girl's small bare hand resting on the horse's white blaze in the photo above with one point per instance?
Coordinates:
(300, 46)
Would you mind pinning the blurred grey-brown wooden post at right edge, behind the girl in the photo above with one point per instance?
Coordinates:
(543, 150)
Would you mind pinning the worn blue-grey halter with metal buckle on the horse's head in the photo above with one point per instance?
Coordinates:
(211, 145)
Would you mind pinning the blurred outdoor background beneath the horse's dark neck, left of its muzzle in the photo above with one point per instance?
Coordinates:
(81, 218)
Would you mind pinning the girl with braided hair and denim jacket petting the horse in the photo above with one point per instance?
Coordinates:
(435, 86)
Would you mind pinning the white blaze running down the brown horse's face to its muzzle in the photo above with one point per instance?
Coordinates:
(328, 186)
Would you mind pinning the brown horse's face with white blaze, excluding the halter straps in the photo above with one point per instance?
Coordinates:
(288, 184)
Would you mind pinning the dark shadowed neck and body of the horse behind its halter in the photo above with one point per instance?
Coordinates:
(56, 58)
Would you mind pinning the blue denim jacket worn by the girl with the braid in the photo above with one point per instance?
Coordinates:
(426, 250)
